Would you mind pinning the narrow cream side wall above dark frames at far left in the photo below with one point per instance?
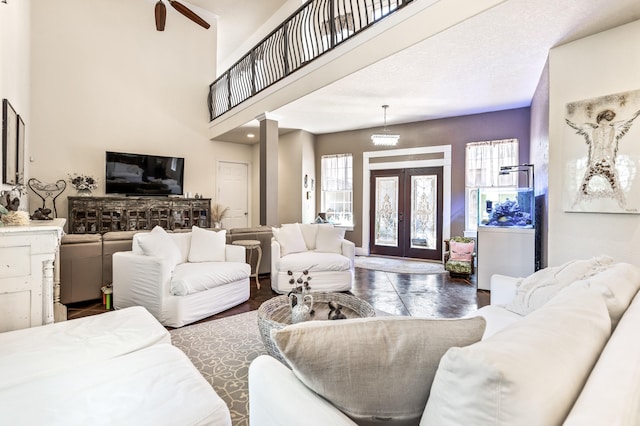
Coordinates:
(15, 61)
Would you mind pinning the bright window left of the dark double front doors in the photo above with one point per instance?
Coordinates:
(337, 188)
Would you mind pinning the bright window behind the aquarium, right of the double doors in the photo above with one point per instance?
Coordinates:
(483, 162)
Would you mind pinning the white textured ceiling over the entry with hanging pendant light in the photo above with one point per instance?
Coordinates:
(490, 62)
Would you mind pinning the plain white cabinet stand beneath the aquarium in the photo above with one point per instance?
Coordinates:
(506, 251)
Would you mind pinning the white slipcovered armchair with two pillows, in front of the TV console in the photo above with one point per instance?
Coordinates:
(181, 277)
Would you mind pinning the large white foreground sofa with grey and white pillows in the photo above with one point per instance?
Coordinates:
(561, 347)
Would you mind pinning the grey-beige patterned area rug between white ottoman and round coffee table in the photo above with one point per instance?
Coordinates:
(222, 351)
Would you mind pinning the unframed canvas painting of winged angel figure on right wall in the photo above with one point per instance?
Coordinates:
(601, 154)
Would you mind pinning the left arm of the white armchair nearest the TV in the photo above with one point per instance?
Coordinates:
(140, 280)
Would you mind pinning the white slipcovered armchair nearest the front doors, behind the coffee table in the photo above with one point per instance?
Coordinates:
(319, 248)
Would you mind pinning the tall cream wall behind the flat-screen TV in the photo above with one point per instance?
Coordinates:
(104, 79)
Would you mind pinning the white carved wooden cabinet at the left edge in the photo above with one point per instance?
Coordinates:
(29, 279)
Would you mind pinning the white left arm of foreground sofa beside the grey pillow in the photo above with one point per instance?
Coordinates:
(276, 397)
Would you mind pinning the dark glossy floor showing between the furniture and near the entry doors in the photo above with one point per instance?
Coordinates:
(426, 296)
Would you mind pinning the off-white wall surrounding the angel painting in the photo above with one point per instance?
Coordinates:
(606, 63)
